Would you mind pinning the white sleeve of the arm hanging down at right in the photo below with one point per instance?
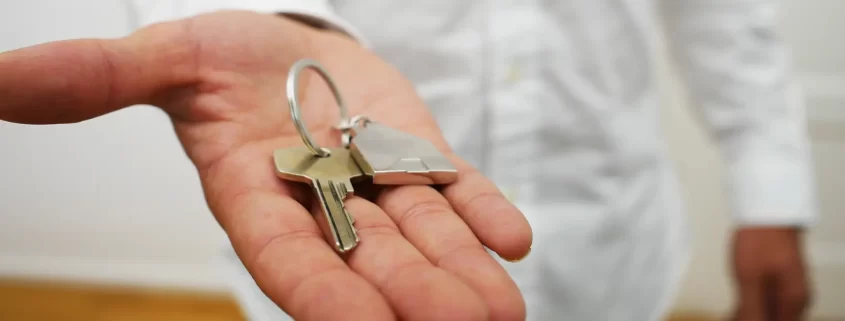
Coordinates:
(737, 72)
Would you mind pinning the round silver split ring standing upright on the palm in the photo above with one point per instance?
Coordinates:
(293, 102)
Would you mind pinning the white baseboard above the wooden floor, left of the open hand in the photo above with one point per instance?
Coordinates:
(186, 276)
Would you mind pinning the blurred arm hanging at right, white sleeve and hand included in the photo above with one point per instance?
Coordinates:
(738, 74)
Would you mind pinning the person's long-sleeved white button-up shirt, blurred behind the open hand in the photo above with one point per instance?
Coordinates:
(557, 102)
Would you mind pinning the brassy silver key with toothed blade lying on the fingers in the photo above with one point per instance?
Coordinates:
(331, 178)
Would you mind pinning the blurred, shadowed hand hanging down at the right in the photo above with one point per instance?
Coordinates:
(771, 275)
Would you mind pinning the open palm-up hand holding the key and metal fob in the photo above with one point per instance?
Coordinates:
(221, 79)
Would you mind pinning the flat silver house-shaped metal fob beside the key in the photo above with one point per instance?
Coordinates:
(394, 157)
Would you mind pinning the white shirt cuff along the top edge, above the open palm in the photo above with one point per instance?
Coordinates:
(153, 11)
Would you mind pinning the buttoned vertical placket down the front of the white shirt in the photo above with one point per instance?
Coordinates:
(513, 114)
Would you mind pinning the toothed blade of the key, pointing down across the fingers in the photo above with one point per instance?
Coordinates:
(340, 223)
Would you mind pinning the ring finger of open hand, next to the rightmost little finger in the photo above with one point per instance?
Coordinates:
(430, 224)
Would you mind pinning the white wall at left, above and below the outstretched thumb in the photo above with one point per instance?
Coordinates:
(111, 199)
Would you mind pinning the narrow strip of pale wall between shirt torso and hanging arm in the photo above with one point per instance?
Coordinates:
(699, 169)
